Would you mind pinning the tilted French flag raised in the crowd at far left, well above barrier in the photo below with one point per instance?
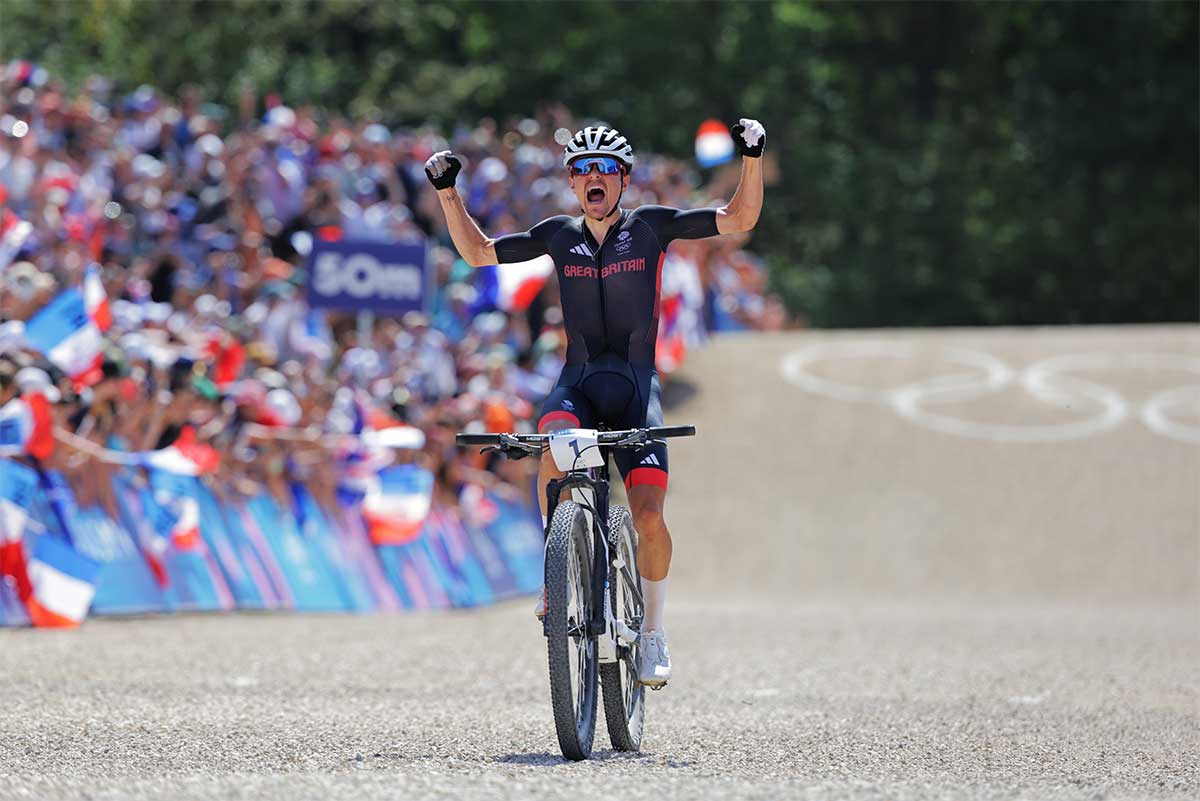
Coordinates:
(70, 339)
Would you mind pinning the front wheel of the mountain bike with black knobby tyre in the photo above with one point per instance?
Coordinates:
(572, 652)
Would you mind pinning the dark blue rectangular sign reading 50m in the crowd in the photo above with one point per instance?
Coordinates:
(368, 276)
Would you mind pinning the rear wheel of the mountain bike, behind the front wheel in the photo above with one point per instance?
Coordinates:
(625, 697)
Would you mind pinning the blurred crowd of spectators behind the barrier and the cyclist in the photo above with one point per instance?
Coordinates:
(200, 219)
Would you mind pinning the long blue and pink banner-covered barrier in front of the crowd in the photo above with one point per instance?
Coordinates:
(182, 544)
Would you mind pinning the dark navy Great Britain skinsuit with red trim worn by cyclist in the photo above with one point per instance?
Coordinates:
(610, 294)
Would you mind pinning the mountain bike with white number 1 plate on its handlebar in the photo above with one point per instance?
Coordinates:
(595, 605)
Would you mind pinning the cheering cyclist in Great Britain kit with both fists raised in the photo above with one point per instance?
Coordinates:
(610, 268)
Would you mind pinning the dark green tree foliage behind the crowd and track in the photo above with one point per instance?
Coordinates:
(940, 164)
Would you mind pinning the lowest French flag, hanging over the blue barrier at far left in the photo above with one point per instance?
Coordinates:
(64, 583)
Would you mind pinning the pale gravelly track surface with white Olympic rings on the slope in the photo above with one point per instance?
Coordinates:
(909, 565)
